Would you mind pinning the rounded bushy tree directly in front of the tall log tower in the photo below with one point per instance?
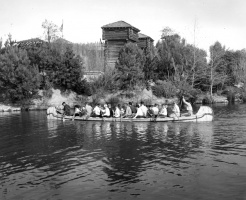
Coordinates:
(129, 67)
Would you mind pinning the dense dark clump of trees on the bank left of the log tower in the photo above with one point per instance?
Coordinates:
(25, 70)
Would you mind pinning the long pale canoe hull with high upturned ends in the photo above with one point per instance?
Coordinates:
(204, 114)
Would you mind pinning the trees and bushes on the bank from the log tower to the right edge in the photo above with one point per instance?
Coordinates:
(176, 68)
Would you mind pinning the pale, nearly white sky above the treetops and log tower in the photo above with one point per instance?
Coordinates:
(200, 22)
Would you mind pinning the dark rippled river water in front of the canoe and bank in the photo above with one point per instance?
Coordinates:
(41, 159)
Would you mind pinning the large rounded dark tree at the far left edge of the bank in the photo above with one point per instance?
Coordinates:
(18, 79)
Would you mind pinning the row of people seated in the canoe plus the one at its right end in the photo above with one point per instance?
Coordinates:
(128, 110)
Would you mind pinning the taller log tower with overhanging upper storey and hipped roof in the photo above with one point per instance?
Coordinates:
(116, 35)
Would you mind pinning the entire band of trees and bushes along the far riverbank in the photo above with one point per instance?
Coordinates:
(172, 68)
